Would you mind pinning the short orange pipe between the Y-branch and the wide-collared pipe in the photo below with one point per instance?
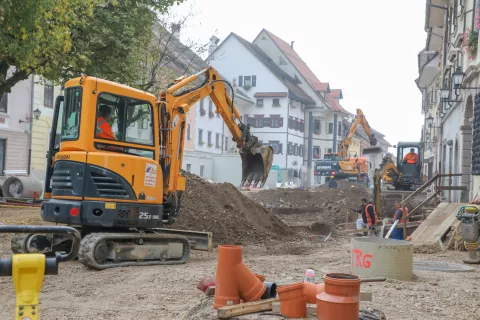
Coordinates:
(293, 303)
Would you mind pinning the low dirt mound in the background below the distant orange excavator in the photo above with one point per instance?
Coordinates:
(329, 206)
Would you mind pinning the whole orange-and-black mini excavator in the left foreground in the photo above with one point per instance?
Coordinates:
(119, 192)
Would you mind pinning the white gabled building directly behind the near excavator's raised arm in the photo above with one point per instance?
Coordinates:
(277, 118)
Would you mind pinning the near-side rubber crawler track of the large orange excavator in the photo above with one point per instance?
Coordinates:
(110, 250)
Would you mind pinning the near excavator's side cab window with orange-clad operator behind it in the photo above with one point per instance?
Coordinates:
(127, 120)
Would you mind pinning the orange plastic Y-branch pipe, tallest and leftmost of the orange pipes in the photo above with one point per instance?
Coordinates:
(234, 280)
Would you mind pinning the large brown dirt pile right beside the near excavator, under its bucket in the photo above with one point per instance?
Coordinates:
(222, 209)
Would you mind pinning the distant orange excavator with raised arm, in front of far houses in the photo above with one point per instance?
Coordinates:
(341, 164)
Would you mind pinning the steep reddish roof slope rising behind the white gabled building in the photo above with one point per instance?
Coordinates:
(299, 64)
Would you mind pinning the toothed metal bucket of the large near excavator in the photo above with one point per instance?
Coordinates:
(256, 165)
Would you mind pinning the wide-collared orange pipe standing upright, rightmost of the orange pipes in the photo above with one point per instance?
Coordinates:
(341, 299)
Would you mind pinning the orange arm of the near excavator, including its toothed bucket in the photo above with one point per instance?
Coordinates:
(256, 158)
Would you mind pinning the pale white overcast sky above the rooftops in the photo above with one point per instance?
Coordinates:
(366, 48)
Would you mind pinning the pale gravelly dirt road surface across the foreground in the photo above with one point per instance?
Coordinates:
(169, 292)
